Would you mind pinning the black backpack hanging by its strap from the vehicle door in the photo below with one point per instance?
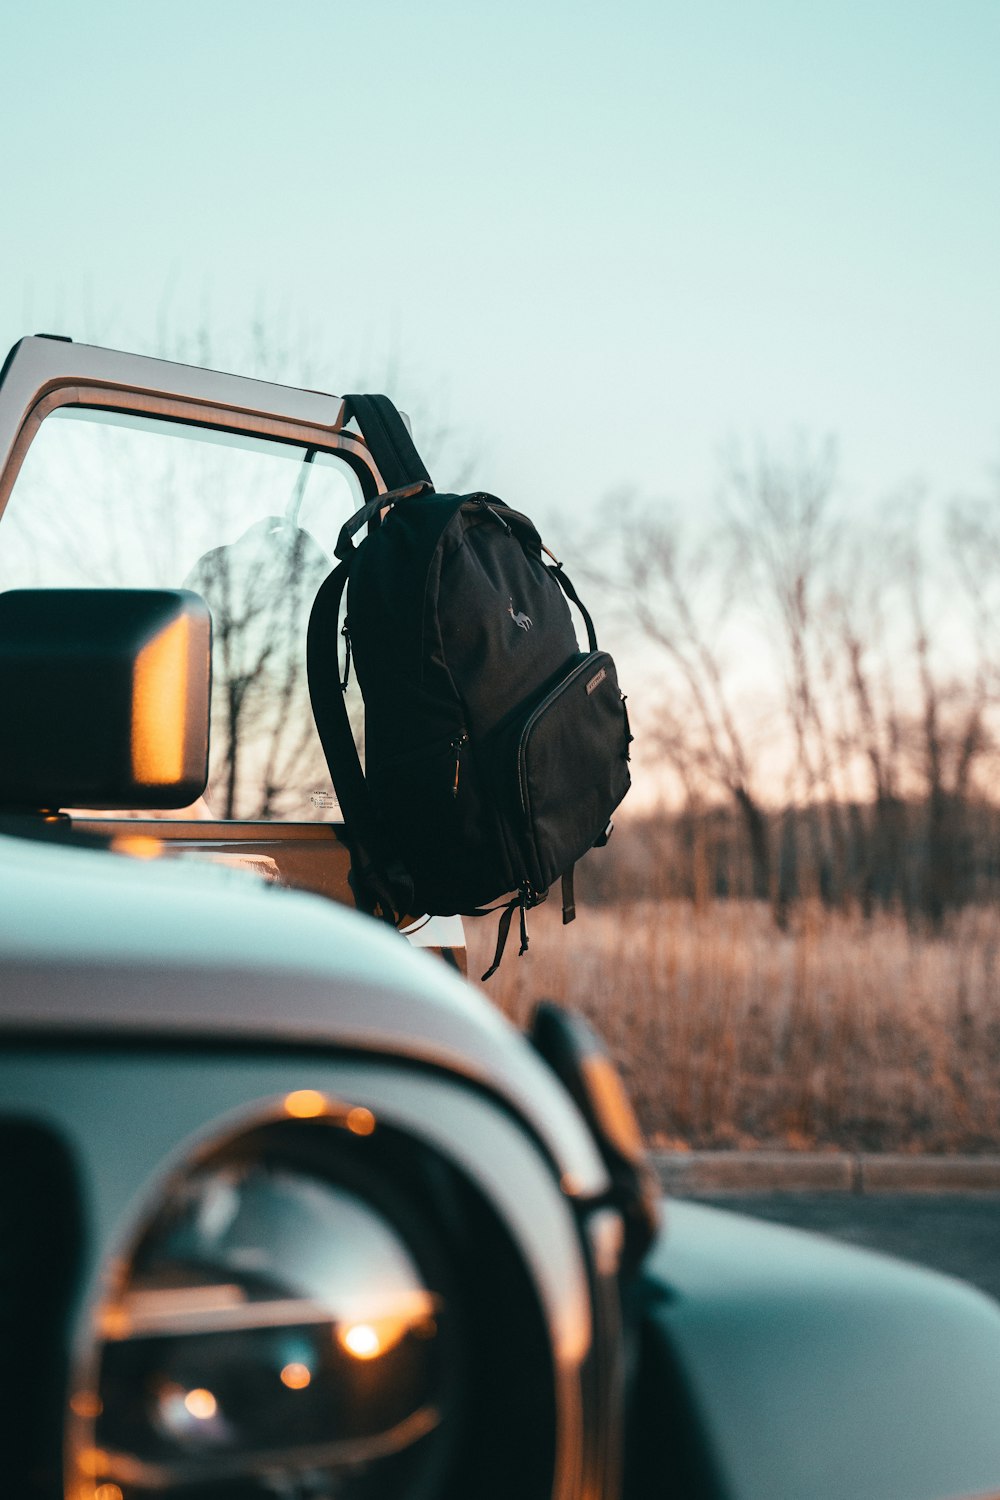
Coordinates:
(496, 749)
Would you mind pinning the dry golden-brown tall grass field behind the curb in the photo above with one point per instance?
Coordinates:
(732, 1034)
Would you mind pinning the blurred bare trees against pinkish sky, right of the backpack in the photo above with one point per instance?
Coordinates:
(824, 688)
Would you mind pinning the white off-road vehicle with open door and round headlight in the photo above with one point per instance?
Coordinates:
(289, 1211)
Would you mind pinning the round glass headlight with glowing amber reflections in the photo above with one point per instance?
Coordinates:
(275, 1333)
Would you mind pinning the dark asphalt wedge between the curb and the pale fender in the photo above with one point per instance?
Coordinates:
(954, 1234)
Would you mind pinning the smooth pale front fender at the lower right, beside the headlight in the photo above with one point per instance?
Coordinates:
(819, 1372)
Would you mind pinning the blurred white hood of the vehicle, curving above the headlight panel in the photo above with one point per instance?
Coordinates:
(110, 947)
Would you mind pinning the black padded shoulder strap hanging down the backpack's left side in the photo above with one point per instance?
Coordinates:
(334, 727)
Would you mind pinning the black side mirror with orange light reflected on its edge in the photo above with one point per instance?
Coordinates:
(104, 698)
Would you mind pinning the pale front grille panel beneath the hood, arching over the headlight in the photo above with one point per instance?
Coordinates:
(133, 1115)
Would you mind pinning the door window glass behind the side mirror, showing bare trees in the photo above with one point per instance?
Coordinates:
(107, 500)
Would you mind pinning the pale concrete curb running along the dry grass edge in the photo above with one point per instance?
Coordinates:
(707, 1174)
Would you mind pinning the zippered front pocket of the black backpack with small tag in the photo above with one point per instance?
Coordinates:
(572, 763)
